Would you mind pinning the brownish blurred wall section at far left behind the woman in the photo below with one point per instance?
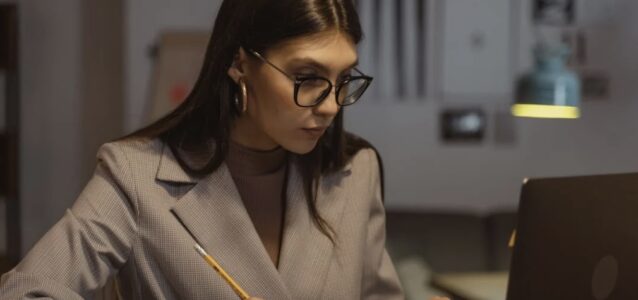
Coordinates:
(71, 63)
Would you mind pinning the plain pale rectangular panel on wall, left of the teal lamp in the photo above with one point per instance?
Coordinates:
(475, 49)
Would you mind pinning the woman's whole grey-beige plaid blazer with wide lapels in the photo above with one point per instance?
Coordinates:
(141, 213)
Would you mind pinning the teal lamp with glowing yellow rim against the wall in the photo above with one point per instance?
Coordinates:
(550, 90)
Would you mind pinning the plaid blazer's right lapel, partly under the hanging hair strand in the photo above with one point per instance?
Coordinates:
(306, 252)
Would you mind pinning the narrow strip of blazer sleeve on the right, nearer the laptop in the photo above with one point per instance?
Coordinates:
(380, 279)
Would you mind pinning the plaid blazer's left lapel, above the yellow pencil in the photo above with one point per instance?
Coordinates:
(212, 211)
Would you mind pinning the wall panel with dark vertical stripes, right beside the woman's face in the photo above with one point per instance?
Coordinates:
(394, 49)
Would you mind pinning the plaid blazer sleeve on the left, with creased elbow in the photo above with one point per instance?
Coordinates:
(90, 243)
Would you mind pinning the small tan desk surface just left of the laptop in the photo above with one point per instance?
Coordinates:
(473, 286)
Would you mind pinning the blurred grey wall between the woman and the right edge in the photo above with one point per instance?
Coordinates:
(425, 173)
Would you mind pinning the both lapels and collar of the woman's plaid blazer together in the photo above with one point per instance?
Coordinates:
(213, 213)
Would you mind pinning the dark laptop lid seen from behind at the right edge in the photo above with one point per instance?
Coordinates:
(577, 238)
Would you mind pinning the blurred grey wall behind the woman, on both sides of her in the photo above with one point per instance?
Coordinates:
(85, 80)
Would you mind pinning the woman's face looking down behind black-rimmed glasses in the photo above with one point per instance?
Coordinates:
(272, 118)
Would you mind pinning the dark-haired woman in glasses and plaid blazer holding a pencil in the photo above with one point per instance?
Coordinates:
(254, 166)
